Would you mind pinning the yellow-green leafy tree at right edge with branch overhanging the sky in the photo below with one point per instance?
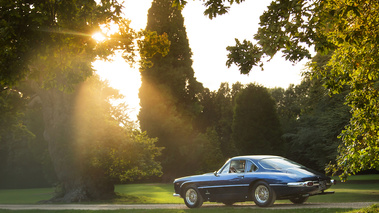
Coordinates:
(350, 30)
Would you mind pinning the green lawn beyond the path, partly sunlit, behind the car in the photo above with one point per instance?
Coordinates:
(363, 188)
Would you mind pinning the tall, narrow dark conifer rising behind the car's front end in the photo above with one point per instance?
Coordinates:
(168, 94)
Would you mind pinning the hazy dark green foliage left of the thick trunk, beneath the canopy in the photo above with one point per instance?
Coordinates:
(25, 162)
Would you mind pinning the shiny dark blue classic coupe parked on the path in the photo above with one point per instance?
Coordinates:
(262, 179)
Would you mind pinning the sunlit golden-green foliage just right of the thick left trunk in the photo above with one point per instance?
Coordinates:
(108, 149)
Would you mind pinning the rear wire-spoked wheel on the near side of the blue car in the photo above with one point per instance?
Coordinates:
(263, 195)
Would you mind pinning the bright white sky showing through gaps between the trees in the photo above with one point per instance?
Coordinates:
(208, 41)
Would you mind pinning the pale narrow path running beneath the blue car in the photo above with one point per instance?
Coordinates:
(177, 206)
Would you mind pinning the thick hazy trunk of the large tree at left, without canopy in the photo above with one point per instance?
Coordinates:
(76, 182)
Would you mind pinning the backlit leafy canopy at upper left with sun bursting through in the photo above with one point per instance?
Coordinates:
(51, 40)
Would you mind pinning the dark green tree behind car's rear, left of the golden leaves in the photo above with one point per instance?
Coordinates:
(311, 120)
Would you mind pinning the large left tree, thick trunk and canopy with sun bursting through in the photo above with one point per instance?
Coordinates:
(49, 44)
